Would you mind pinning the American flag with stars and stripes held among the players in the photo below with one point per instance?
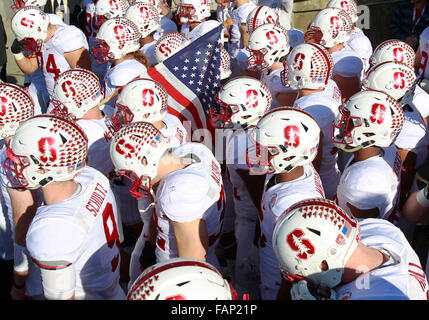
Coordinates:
(192, 78)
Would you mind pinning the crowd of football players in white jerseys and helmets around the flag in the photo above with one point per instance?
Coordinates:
(106, 196)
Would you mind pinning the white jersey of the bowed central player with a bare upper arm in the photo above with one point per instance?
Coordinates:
(194, 192)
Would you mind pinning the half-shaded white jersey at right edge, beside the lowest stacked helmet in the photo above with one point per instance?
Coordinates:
(413, 135)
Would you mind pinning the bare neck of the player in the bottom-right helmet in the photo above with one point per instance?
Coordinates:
(363, 260)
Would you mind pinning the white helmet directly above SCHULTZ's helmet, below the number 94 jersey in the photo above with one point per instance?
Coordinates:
(76, 91)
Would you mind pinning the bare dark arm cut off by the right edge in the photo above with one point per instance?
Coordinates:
(416, 208)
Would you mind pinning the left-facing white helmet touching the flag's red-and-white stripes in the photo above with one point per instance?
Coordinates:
(140, 100)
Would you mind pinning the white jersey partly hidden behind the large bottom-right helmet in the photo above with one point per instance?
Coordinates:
(275, 200)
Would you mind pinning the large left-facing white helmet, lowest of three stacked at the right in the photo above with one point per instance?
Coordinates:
(368, 118)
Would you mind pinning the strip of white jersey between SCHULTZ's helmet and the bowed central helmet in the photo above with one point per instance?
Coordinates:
(98, 145)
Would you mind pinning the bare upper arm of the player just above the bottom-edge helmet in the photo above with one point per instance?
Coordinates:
(192, 239)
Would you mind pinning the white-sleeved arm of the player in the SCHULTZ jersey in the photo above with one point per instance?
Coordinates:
(58, 279)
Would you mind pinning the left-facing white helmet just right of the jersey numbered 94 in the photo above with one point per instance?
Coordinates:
(116, 38)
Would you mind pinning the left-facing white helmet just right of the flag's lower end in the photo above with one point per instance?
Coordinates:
(242, 102)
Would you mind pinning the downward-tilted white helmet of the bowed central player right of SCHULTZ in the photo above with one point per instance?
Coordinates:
(135, 151)
